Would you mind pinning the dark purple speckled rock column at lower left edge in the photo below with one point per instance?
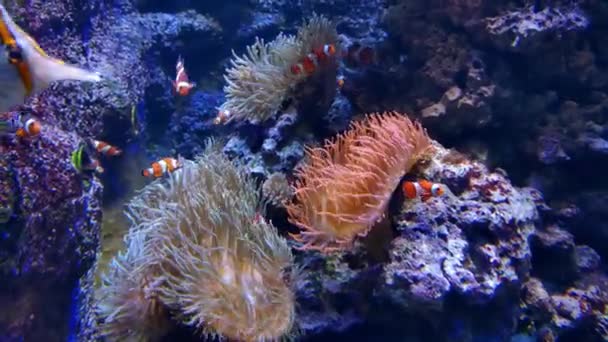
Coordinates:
(52, 237)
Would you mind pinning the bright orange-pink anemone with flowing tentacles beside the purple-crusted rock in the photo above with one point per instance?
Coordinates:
(344, 188)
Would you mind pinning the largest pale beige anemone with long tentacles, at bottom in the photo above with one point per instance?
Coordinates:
(222, 267)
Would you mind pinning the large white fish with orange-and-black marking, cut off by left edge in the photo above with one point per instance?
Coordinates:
(27, 69)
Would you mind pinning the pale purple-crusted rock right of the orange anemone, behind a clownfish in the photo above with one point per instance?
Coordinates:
(471, 244)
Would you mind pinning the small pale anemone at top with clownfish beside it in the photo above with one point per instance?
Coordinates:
(260, 82)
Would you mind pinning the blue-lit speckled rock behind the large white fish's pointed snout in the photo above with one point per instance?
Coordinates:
(116, 41)
